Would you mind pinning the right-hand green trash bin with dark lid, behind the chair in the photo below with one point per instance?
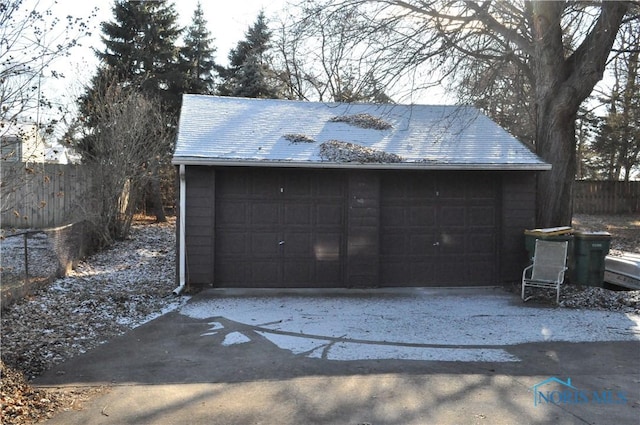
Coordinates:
(591, 249)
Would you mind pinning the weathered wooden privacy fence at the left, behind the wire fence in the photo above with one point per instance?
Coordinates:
(42, 195)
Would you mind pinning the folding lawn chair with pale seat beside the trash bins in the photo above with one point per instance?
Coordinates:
(547, 270)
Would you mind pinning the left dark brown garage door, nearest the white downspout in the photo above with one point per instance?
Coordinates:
(279, 228)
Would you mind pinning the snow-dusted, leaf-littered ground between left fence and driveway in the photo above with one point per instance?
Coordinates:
(106, 295)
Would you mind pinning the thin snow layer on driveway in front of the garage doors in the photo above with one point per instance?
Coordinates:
(421, 325)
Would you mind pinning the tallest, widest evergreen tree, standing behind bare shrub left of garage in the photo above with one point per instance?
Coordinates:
(140, 56)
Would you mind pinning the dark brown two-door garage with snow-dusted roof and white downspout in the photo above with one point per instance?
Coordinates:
(415, 196)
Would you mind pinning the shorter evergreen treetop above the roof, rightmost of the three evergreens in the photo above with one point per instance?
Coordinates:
(249, 74)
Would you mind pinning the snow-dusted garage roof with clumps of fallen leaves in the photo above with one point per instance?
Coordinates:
(238, 131)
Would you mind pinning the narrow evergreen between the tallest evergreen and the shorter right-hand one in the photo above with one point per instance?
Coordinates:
(197, 56)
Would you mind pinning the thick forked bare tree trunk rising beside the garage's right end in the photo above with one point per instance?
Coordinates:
(561, 84)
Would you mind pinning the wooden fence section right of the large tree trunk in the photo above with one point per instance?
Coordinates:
(606, 197)
